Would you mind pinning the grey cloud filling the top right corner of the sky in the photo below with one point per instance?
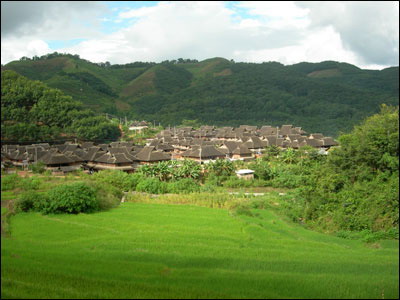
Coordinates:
(369, 29)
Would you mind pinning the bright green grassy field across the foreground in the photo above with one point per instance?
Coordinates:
(142, 250)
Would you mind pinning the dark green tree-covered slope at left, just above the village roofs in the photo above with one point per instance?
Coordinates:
(31, 111)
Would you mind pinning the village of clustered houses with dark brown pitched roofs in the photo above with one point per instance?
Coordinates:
(202, 145)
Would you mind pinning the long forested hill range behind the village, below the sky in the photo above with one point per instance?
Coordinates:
(327, 97)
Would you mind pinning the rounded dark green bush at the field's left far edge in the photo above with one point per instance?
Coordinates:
(77, 197)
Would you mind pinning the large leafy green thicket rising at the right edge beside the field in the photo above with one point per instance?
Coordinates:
(357, 187)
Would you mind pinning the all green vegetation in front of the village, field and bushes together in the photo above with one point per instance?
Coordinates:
(187, 231)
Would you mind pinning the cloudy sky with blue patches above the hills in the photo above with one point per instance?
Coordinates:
(363, 33)
